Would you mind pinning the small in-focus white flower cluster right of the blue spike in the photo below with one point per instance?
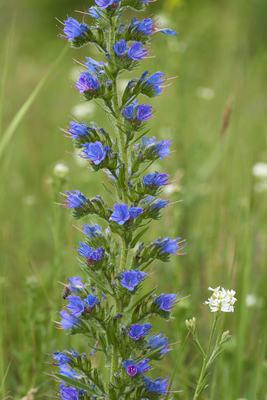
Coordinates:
(221, 300)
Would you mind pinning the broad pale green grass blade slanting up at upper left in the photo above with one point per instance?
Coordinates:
(7, 135)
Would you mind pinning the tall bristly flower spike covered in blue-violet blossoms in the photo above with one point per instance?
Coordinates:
(105, 306)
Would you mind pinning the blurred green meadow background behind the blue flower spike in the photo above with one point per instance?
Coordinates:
(220, 58)
